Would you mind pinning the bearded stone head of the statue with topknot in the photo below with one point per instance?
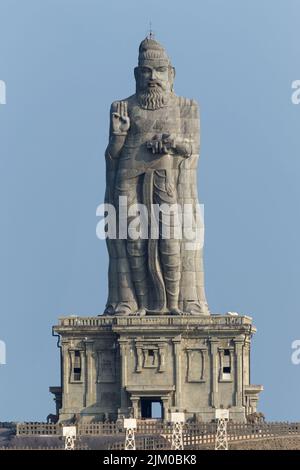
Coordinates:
(154, 75)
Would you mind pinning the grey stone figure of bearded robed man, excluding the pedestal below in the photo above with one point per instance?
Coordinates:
(151, 159)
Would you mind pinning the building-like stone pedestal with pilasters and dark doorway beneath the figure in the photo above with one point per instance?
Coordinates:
(114, 366)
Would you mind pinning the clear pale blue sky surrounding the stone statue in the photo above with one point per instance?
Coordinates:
(64, 62)
